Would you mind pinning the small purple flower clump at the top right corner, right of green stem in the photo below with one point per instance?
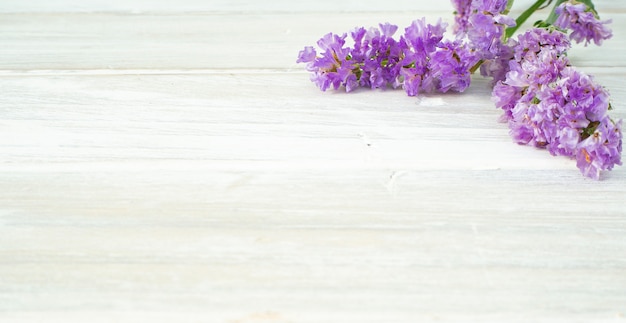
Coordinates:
(583, 22)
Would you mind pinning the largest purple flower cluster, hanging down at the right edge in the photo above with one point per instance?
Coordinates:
(549, 104)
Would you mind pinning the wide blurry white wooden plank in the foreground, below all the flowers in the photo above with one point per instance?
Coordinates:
(226, 245)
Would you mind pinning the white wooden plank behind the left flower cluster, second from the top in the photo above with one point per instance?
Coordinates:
(112, 41)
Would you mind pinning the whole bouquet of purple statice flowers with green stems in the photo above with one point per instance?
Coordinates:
(547, 103)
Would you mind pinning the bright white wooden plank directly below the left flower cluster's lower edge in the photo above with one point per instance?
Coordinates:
(201, 117)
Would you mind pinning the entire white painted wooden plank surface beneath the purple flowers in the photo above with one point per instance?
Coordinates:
(168, 162)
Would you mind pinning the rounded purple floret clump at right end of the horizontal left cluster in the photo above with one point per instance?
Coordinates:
(450, 66)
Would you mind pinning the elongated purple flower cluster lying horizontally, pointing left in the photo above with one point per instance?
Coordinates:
(420, 61)
